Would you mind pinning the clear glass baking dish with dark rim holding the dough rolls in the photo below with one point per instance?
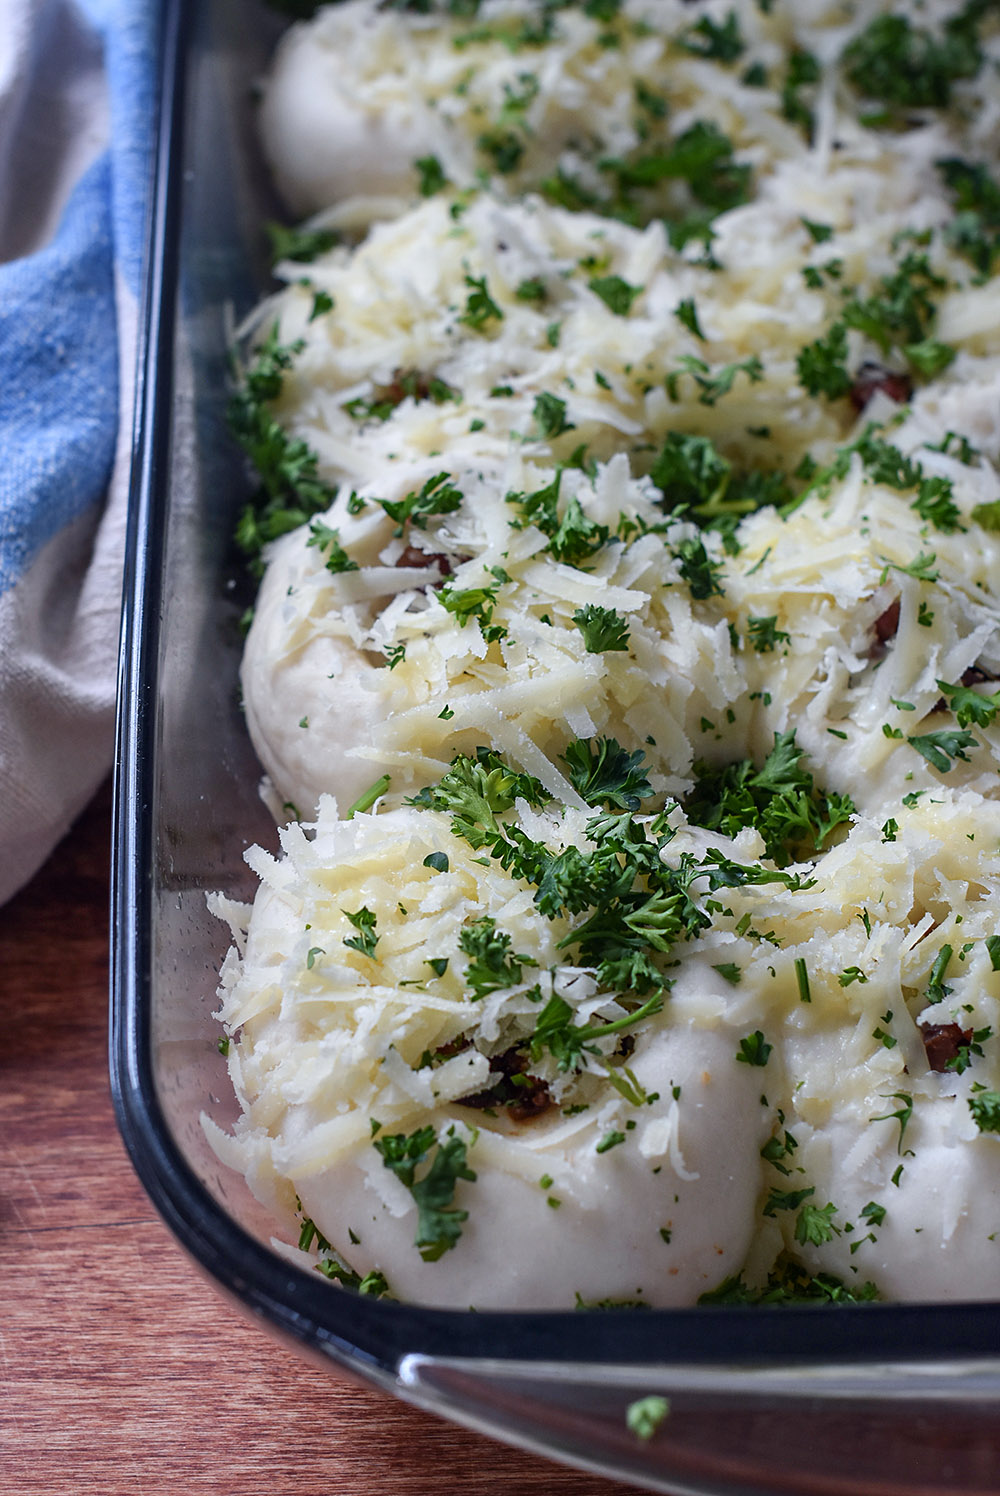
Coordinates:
(872, 1400)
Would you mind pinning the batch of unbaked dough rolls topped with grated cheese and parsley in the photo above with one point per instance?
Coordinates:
(628, 656)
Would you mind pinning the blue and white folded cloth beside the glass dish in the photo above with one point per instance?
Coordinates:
(77, 120)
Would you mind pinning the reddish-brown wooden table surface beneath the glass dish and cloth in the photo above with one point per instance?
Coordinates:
(122, 1371)
